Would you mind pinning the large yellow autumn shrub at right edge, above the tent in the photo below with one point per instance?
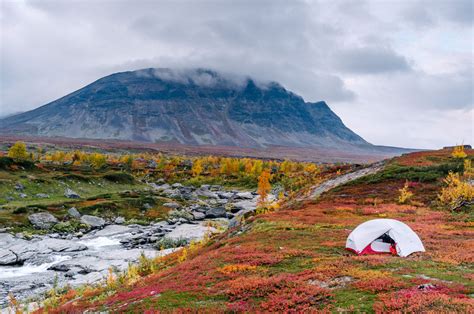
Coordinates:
(457, 193)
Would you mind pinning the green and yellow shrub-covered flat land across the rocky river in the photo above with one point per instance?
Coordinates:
(114, 184)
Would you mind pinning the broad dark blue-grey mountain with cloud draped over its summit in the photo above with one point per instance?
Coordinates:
(196, 107)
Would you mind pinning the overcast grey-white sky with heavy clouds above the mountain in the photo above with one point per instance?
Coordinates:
(398, 73)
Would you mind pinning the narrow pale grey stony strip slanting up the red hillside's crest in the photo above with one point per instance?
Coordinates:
(330, 184)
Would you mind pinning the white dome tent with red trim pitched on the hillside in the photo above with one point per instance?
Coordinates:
(384, 236)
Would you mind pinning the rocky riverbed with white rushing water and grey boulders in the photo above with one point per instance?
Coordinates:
(29, 267)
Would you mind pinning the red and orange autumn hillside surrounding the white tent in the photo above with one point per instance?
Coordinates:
(293, 259)
